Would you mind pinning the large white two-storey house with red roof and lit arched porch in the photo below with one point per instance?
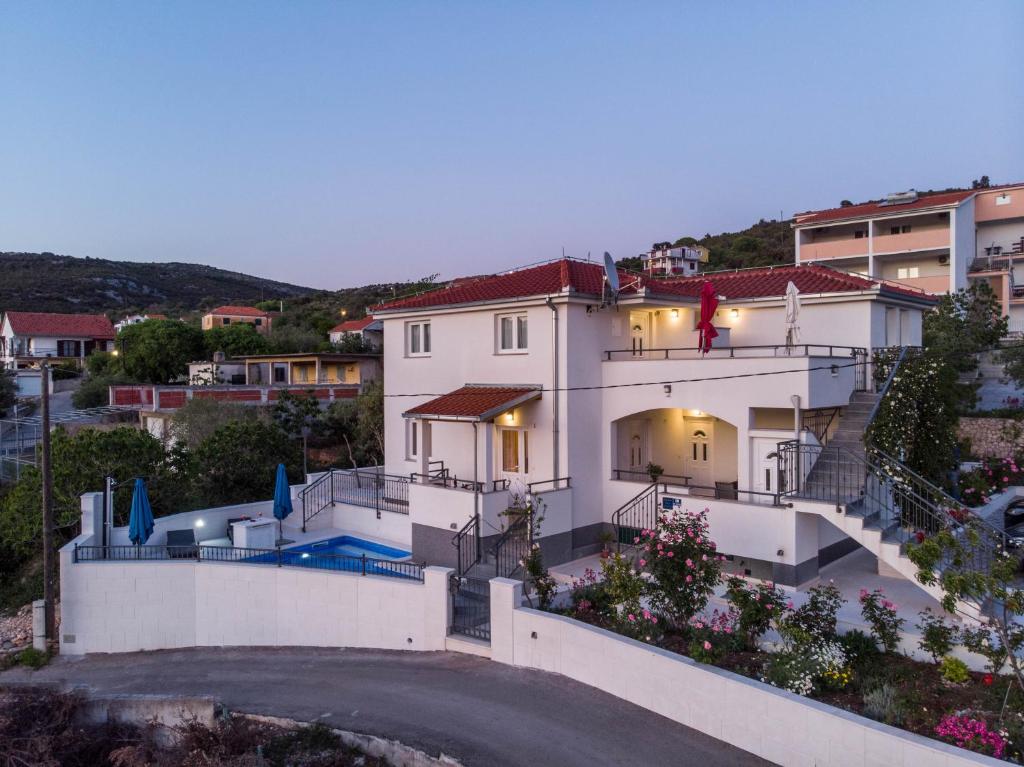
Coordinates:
(528, 382)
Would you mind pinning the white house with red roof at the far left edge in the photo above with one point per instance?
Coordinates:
(29, 337)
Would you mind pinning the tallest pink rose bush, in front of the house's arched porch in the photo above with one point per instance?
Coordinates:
(684, 563)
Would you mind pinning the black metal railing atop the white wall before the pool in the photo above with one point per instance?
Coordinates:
(363, 566)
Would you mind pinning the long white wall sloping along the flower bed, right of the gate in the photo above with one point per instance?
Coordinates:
(777, 726)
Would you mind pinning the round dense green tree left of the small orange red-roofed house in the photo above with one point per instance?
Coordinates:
(159, 351)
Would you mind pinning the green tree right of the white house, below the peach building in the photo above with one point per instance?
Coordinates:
(965, 324)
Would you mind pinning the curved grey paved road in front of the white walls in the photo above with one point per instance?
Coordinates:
(481, 712)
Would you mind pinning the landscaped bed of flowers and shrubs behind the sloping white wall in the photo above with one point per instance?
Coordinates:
(661, 596)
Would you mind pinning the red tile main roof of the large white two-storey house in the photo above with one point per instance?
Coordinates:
(585, 278)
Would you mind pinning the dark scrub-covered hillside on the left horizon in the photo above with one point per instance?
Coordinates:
(45, 282)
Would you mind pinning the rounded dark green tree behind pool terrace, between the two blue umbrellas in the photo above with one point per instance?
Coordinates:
(238, 462)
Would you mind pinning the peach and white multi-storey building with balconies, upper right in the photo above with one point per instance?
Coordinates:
(938, 242)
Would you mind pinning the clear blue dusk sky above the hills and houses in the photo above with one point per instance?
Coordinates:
(335, 144)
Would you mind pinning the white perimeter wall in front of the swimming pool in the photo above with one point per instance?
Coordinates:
(130, 607)
